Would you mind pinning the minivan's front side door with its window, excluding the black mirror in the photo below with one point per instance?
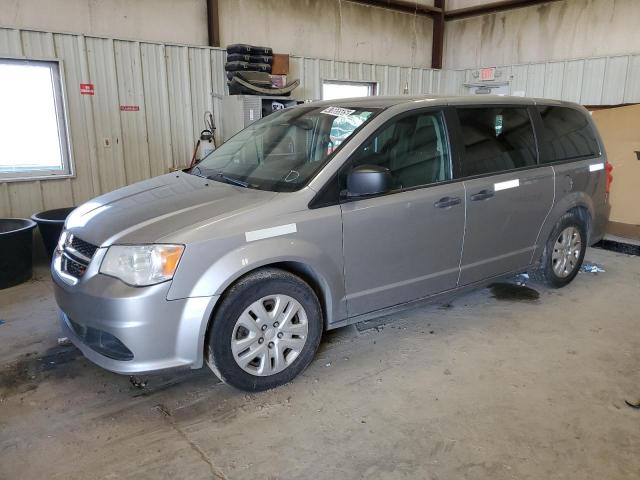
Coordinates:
(405, 244)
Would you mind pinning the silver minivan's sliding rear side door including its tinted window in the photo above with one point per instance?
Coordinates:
(508, 195)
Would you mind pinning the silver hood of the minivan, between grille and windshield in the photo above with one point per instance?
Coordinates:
(147, 211)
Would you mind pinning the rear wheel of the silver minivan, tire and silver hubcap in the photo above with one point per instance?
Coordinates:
(551, 271)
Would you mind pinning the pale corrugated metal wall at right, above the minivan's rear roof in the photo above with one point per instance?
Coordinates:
(589, 81)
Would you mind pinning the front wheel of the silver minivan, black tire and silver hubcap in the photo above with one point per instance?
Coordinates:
(251, 310)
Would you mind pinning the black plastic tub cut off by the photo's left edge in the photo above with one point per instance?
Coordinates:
(16, 245)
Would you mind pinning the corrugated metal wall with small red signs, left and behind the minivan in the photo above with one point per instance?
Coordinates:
(174, 86)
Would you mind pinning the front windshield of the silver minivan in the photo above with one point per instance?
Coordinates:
(283, 151)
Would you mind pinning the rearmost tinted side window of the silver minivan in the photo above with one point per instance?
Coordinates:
(567, 135)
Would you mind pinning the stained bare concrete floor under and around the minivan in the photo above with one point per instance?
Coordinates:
(481, 388)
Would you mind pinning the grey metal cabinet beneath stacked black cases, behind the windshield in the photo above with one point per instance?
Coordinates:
(240, 111)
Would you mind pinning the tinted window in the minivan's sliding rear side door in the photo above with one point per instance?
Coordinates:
(496, 139)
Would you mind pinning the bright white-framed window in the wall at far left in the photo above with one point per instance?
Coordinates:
(33, 128)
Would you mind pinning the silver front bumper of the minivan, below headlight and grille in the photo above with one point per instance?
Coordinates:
(100, 314)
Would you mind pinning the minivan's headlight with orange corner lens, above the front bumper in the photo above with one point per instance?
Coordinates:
(142, 265)
